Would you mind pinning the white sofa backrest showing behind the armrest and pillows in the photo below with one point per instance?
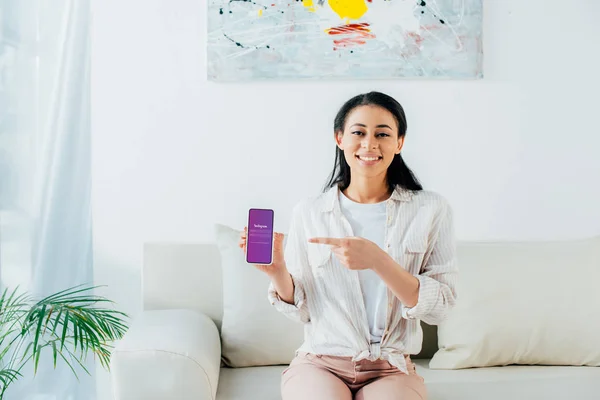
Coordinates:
(189, 276)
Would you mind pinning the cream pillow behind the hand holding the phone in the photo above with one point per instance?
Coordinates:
(253, 333)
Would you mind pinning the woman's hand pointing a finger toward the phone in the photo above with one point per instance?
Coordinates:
(354, 253)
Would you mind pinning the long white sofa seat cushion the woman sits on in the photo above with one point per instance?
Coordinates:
(499, 383)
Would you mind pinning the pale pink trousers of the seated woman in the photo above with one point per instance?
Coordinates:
(318, 377)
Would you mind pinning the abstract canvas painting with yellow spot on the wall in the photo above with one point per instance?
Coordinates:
(324, 39)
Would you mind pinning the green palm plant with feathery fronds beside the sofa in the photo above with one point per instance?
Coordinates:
(72, 324)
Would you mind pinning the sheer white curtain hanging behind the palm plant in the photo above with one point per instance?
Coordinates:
(45, 178)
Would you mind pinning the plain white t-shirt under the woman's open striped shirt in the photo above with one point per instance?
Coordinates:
(368, 221)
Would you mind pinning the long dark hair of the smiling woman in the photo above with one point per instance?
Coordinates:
(398, 173)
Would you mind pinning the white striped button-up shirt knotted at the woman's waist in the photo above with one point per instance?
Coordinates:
(419, 236)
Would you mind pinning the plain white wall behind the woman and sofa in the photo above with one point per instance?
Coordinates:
(515, 153)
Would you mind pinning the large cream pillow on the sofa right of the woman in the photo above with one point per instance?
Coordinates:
(524, 303)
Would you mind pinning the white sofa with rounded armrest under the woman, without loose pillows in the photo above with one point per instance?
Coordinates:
(173, 349)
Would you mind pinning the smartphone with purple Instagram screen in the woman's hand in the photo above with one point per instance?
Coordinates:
(259, 241)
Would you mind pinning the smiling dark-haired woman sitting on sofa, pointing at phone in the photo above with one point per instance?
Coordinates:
(365, 261)
